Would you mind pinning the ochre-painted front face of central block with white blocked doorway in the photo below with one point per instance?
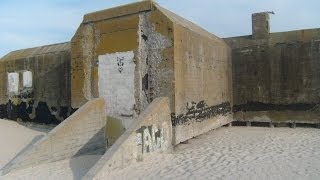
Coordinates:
(126, 59)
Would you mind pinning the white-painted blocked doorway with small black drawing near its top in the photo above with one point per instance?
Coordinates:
(116, 83)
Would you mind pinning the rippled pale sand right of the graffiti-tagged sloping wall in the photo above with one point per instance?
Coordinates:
(236, 153)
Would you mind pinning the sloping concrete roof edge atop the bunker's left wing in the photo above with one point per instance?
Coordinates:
(35, 51)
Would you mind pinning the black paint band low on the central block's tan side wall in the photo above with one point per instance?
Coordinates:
(199, 112)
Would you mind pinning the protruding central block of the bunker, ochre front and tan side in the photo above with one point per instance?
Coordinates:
(132, 54)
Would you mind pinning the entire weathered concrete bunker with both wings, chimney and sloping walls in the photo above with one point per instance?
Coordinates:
(134, 54)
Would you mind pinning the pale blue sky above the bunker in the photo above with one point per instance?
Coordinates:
(39, 22)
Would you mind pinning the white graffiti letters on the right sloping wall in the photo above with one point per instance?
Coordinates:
(151, 138)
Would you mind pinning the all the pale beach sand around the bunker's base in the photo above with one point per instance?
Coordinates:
(226, 153)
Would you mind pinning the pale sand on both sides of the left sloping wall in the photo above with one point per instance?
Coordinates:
(14, 137)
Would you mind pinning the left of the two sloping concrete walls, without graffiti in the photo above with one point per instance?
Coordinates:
(81, 133)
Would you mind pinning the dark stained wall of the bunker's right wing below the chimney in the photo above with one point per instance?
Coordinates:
(278, 78)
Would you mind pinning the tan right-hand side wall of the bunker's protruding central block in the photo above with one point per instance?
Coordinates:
(202, 76)
